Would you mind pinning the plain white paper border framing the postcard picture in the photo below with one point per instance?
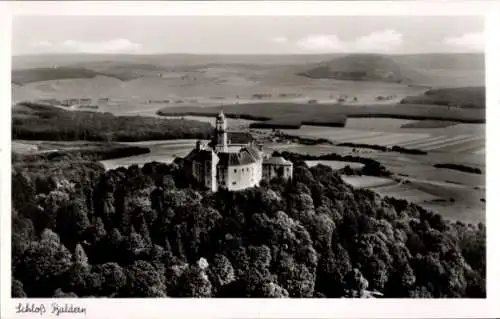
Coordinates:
(252, 308)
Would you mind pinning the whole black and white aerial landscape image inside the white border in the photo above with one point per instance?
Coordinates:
(194, 156)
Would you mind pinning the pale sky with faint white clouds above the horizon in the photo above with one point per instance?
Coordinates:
(246, 35)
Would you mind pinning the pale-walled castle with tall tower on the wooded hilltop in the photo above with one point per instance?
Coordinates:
(233, 161)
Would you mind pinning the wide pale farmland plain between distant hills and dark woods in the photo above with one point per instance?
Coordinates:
(207, 86)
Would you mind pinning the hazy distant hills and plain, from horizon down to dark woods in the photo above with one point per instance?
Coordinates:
(213, 79)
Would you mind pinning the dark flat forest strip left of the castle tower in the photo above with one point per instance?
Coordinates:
(32, 121)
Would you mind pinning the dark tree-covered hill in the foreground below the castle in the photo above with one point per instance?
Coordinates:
(150, 233)
